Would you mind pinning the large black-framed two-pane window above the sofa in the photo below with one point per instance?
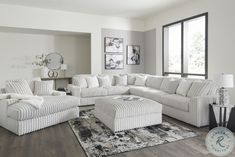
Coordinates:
(185, 47)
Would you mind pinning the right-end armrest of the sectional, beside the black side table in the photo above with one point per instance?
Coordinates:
(199, 107)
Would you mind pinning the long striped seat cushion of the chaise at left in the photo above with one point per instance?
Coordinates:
(52, 104)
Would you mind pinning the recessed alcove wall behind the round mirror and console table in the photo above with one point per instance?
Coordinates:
(18, 50)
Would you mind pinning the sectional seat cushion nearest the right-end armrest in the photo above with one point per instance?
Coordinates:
(176, 101)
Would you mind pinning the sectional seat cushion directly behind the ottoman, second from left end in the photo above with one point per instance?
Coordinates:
(117, 90)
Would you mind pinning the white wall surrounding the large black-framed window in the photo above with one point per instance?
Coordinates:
(221, 51)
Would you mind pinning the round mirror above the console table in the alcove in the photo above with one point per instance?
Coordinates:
(54, 61)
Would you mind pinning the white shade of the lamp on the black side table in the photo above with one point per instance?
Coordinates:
(224, 80)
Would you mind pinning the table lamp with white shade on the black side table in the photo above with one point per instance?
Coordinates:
(224, 81)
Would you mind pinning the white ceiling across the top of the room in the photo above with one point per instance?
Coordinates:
(120, 8)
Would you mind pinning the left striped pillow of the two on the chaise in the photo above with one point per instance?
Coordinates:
(19, 87)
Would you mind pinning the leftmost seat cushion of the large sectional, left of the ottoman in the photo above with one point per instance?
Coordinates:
(93, 92)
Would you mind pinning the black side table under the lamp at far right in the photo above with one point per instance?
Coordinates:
(222, 117)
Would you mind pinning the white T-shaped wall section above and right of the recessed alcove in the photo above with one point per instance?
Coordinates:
(45, 19)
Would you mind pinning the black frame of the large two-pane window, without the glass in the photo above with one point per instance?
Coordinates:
(181, 22)
